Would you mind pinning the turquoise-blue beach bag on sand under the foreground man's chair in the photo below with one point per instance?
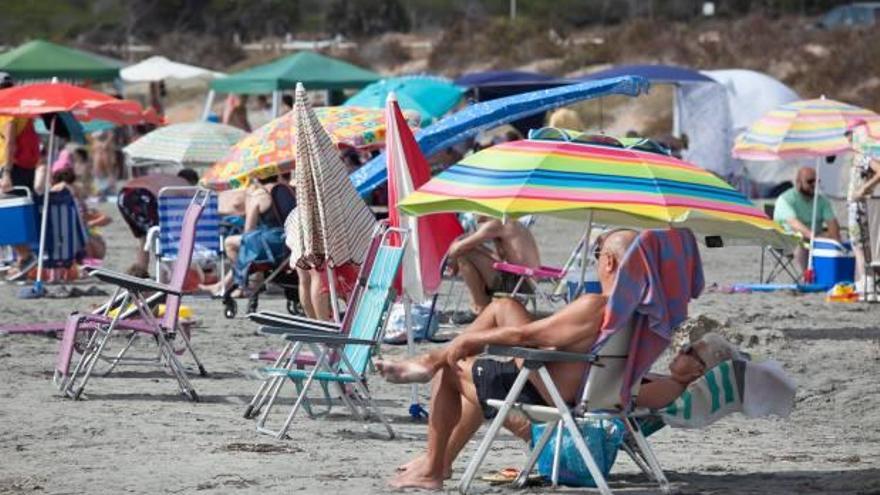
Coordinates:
(603, 438)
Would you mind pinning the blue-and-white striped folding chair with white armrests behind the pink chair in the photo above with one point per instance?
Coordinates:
(173, 202)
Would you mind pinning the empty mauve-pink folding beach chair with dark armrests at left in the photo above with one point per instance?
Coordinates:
(133, 290)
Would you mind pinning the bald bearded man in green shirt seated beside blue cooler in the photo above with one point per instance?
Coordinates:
(794, 211)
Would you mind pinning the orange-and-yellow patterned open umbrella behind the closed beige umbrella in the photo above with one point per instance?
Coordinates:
(271, 149)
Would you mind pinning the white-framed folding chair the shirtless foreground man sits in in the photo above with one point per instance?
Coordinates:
(617, 362)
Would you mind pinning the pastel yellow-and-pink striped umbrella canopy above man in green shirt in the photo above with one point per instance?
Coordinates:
(802, 129)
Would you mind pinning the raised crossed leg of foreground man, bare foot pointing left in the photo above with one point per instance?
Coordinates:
(500, 313)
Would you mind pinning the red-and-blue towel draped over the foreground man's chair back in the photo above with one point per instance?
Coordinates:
(658, 277)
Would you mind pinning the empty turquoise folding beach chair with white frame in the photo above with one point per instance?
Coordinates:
(354, 350)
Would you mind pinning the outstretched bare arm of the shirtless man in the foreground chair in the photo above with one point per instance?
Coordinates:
(576, 322)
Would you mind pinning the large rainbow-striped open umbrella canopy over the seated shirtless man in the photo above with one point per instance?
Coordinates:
(618, 186)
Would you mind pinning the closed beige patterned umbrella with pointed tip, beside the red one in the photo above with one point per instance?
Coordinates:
(331, 224)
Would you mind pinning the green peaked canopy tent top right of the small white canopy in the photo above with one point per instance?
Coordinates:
(312, 69)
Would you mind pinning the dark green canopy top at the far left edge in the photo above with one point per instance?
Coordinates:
(40, 59)
